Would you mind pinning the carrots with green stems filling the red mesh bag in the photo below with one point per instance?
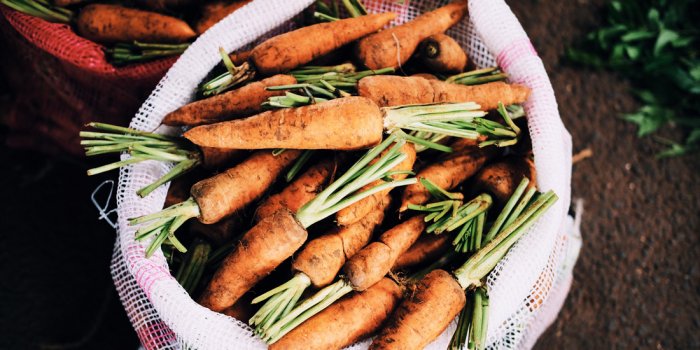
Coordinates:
(133, 31)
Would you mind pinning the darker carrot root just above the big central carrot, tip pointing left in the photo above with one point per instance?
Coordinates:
(233, 104)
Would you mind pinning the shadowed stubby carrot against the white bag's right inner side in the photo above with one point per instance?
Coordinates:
(501, 178)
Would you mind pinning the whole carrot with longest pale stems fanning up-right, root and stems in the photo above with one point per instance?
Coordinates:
(283, 238)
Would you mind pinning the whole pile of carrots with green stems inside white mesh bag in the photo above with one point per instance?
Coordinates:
(325, 200)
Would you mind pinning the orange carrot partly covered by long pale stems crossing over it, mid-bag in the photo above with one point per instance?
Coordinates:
(357, 211)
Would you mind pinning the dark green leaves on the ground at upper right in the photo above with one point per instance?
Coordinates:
(654, 44)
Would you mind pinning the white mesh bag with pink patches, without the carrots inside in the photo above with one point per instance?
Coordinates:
(526, 289)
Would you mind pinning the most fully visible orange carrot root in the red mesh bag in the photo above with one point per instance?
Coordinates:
(113, 24)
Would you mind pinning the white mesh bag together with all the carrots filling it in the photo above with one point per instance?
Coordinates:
(386, 174)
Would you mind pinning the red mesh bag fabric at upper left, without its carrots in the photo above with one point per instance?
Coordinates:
(63, 81)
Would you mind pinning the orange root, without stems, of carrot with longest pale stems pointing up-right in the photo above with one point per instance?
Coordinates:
(261, 250)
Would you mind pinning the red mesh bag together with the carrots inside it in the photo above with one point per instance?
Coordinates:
(102, 58)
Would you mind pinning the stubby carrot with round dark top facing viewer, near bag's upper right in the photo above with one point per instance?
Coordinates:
(442, 54)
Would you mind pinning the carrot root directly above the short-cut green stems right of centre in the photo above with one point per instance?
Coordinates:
(447, 172)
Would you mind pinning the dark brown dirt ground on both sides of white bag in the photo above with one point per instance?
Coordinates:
(636, 283)
